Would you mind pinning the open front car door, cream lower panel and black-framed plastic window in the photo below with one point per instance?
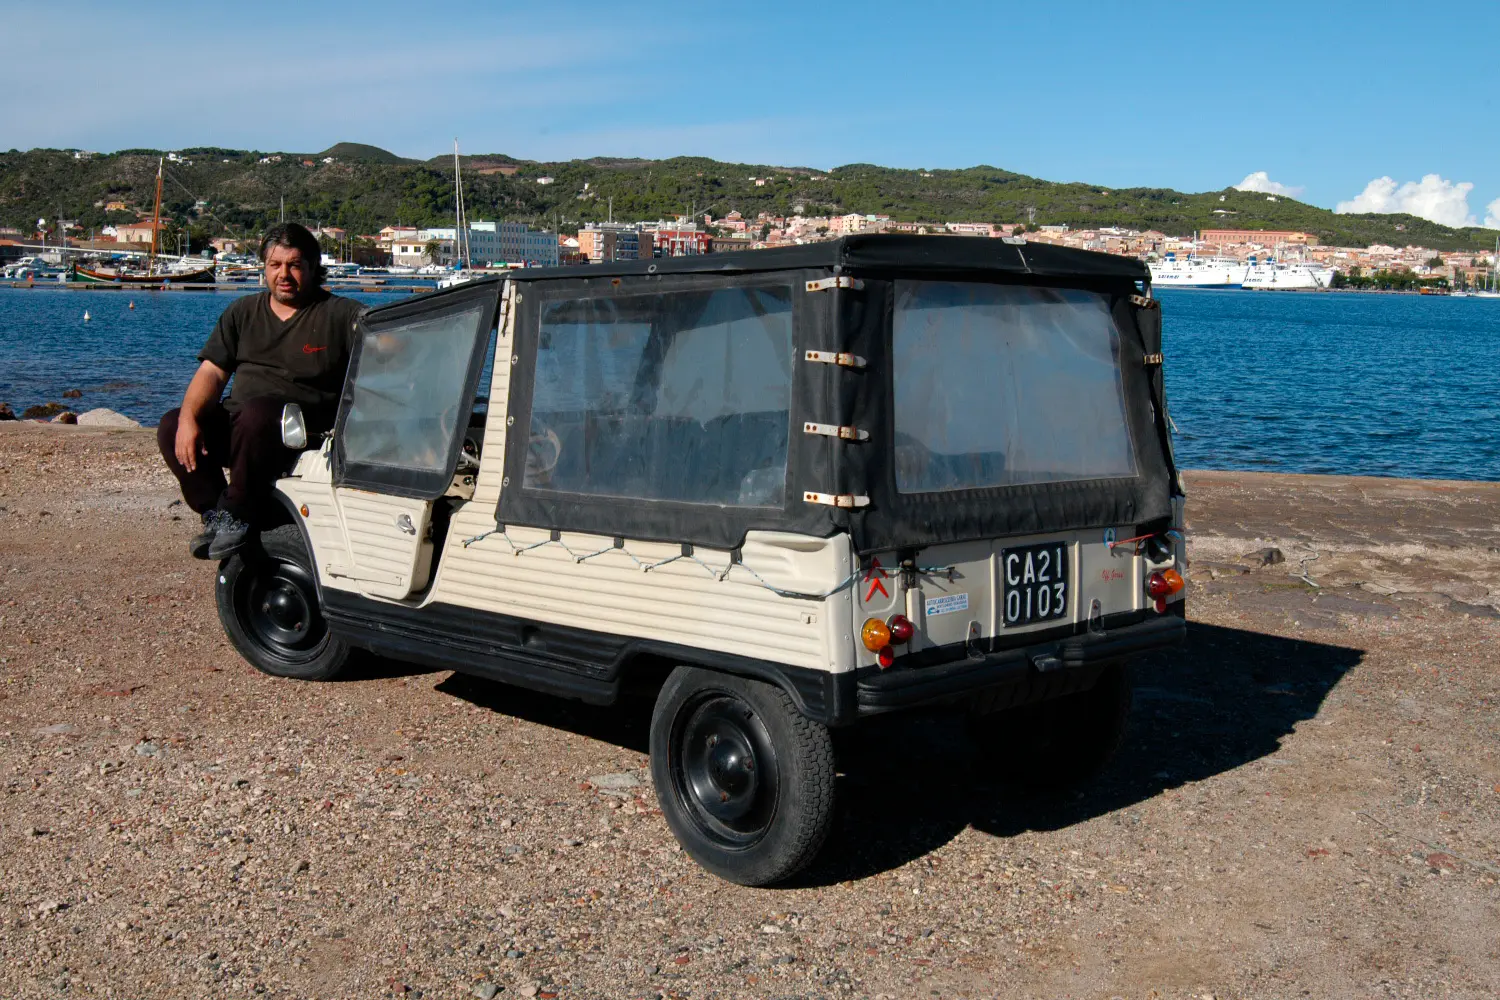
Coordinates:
(407, 403)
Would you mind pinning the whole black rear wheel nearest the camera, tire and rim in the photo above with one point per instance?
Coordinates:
(745, 780)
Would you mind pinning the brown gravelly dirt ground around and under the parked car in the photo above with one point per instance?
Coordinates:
(1309, 803)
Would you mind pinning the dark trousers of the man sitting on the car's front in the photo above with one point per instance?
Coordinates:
(248, 443)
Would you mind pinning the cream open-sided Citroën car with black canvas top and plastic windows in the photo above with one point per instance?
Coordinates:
(784, 491)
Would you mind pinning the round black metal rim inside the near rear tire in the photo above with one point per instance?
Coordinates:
(725, 771)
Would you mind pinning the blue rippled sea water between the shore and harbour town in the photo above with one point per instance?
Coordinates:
(1358, 385)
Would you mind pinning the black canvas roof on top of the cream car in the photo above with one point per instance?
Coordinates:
(907, 254)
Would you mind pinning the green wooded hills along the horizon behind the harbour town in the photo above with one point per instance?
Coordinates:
(368, 188)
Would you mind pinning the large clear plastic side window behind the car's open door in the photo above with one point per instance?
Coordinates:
(671, 397)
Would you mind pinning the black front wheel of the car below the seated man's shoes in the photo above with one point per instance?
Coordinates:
(268, 600)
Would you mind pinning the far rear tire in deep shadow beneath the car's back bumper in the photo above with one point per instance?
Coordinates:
(1063, 743)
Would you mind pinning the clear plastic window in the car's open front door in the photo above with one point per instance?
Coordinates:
(409, 391)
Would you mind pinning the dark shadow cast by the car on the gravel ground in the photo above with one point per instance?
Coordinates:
(911, 783)
